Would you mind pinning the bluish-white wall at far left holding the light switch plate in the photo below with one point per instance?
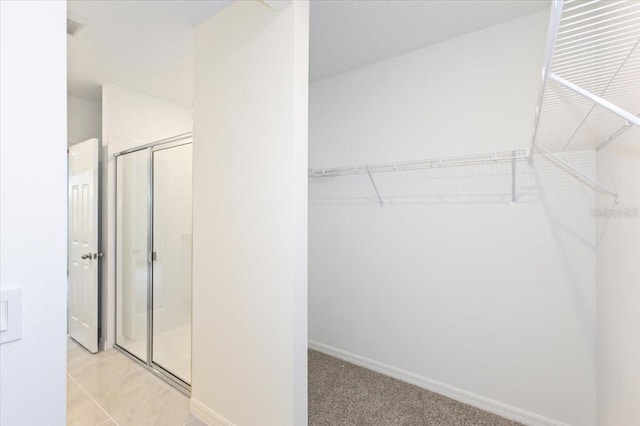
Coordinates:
(33, 212)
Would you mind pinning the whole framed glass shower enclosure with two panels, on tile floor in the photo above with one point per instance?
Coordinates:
(153, 256)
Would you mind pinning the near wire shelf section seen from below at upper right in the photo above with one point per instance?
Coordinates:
(591, 74)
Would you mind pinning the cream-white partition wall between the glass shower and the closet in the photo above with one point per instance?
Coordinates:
(250, 214)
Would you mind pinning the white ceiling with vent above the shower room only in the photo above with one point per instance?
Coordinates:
(144, 45)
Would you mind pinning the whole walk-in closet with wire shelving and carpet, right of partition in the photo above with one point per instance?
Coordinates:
(466, 198)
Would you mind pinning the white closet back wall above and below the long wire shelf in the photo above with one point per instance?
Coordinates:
(448, 282)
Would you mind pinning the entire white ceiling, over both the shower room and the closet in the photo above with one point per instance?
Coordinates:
(147, 45)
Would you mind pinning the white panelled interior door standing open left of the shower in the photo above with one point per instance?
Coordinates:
(83, 243)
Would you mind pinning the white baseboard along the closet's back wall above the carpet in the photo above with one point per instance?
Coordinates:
(486, 404)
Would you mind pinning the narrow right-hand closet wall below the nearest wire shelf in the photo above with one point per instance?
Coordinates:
(618, 278)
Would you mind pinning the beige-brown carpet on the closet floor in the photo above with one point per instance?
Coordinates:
(345, 394)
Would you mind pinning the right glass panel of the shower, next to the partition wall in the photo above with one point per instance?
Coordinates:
(172, 237)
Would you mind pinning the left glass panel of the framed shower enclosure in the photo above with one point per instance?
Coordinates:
(131, 257)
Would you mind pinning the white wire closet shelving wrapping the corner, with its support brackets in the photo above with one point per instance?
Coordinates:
(593, 51)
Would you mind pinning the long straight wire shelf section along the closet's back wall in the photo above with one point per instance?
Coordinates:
(430, 163)
